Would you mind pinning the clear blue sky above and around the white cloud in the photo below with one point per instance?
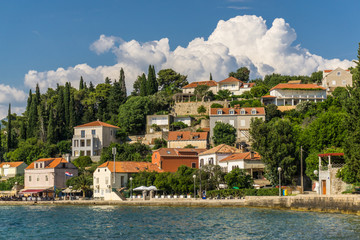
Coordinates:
(47, 35)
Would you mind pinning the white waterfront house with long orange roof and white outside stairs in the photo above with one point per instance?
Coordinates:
(110, 178)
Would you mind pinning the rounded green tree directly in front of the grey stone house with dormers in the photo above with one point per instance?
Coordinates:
(224, 133)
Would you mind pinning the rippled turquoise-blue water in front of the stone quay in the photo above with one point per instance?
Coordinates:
(114, 222)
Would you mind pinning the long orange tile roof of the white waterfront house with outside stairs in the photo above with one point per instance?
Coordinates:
(130, 167)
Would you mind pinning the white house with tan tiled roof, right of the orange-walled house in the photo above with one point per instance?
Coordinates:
(214, 155)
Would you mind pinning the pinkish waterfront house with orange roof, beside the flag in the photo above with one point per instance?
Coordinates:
(48, 173)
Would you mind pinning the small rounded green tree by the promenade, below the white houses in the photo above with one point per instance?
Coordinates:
(238, 178)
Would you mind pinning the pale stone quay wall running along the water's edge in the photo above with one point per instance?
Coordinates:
(345, 204)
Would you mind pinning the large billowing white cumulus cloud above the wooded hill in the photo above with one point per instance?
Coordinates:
(239, 41)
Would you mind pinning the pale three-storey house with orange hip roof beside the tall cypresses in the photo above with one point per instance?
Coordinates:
(90, 138)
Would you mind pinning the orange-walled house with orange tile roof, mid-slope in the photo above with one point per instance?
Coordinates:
(170, 159)
